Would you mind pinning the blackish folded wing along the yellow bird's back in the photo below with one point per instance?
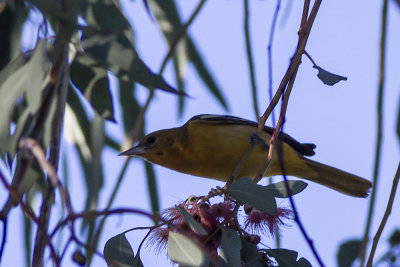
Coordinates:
(303, 148)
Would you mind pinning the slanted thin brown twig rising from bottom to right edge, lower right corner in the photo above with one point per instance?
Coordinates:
(385, 216)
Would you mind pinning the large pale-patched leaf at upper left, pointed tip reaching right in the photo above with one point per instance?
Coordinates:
(115, 52)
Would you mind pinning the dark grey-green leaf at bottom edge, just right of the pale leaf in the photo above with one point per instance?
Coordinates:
(230, 248)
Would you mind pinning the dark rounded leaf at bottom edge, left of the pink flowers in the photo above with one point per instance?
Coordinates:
(118, 252)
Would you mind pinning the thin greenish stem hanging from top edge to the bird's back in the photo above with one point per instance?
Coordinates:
(250, 57)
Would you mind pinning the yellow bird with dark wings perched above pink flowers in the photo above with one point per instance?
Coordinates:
(211, 146)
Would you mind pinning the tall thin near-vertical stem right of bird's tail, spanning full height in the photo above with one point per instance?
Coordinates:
(378, 147)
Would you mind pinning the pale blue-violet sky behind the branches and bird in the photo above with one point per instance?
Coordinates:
(340, 120)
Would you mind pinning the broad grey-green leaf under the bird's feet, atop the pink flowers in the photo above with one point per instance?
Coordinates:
(245, 191)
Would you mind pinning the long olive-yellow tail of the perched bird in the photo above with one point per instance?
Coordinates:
(336, 179)
